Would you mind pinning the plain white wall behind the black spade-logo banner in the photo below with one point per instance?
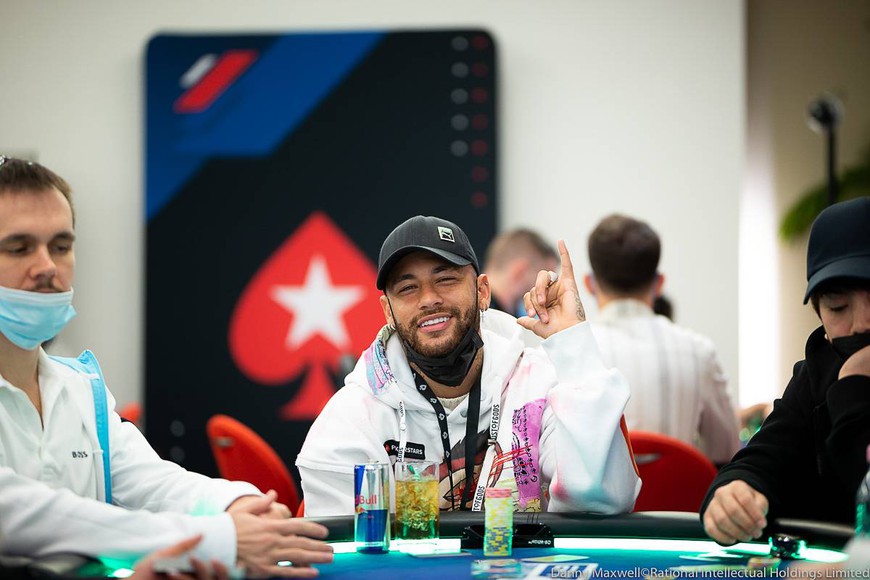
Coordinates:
(617, 105)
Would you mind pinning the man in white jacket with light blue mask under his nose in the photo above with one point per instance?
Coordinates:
(59, 432)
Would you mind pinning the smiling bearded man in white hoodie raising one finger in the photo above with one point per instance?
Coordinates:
(447, 380)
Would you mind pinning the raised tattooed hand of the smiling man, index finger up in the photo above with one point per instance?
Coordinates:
(554, 299)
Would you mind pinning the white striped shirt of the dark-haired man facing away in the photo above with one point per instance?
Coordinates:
(677, 384)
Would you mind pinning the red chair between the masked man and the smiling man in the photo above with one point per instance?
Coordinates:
(242, 455)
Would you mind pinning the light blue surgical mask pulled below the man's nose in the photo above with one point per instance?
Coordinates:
(30, 318)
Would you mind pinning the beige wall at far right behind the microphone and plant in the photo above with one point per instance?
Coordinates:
(797, 50)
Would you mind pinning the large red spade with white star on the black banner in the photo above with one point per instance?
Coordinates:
(312, 301)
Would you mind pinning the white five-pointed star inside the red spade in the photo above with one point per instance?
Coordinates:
(317, 306)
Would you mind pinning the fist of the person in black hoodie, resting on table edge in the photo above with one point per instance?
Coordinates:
(737, 513)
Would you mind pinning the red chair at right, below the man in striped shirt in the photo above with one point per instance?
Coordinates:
(675, 474)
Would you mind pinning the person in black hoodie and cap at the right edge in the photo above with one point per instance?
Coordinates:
(808, 458)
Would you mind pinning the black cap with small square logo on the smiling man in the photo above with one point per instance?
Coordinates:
(428, 233)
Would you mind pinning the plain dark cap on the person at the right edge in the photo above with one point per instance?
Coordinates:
(839, 245)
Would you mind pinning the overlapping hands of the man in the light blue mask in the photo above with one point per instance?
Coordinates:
(263, 542)
